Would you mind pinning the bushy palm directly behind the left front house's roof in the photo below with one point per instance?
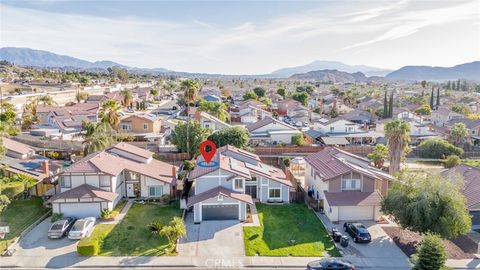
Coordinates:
(96, 137)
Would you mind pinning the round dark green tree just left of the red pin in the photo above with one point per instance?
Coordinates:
(189, 143)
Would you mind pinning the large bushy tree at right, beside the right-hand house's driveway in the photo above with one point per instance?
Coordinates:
(428, 203)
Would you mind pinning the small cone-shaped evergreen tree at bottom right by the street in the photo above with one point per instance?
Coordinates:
(431, 253)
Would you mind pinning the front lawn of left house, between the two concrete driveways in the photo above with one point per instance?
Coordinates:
(132, 237)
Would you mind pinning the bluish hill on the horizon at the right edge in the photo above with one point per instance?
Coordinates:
(468, 71)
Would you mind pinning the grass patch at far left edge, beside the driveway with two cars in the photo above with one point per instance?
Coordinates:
(19, 215)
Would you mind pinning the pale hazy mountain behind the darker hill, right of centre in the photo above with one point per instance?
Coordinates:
(330, 65)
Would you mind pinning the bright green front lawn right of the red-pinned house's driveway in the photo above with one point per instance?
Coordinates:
(288, 230)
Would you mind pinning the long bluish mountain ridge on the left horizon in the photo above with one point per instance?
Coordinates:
(39, 58)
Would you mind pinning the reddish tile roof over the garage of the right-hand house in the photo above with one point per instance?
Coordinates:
(352, 198)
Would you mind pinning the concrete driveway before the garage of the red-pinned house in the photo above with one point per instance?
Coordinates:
(218, 238)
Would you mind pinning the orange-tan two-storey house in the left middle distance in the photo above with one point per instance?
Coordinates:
(142, 126)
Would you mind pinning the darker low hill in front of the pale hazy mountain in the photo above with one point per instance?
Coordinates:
(331, 75)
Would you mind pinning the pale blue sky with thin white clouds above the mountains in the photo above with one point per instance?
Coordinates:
(248, 37)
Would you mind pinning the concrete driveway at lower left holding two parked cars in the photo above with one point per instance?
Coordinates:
(36, 249)
